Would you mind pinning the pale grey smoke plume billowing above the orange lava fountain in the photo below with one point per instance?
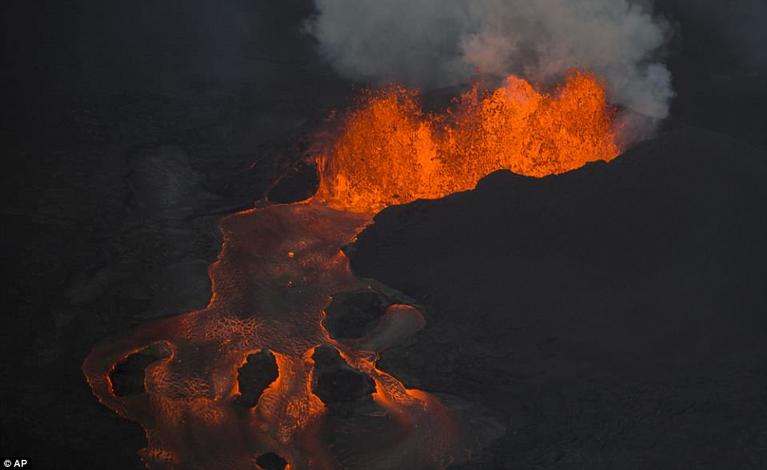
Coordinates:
(431, 43)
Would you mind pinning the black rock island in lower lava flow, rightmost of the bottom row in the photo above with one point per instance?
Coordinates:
(335, 381)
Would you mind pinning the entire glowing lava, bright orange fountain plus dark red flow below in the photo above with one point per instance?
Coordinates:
(281, 266)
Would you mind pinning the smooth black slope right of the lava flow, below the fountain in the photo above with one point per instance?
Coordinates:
(612, 317)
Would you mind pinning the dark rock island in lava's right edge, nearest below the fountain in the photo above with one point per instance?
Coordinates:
(354, 314)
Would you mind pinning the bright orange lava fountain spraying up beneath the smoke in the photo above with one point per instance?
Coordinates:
(390, 152)
